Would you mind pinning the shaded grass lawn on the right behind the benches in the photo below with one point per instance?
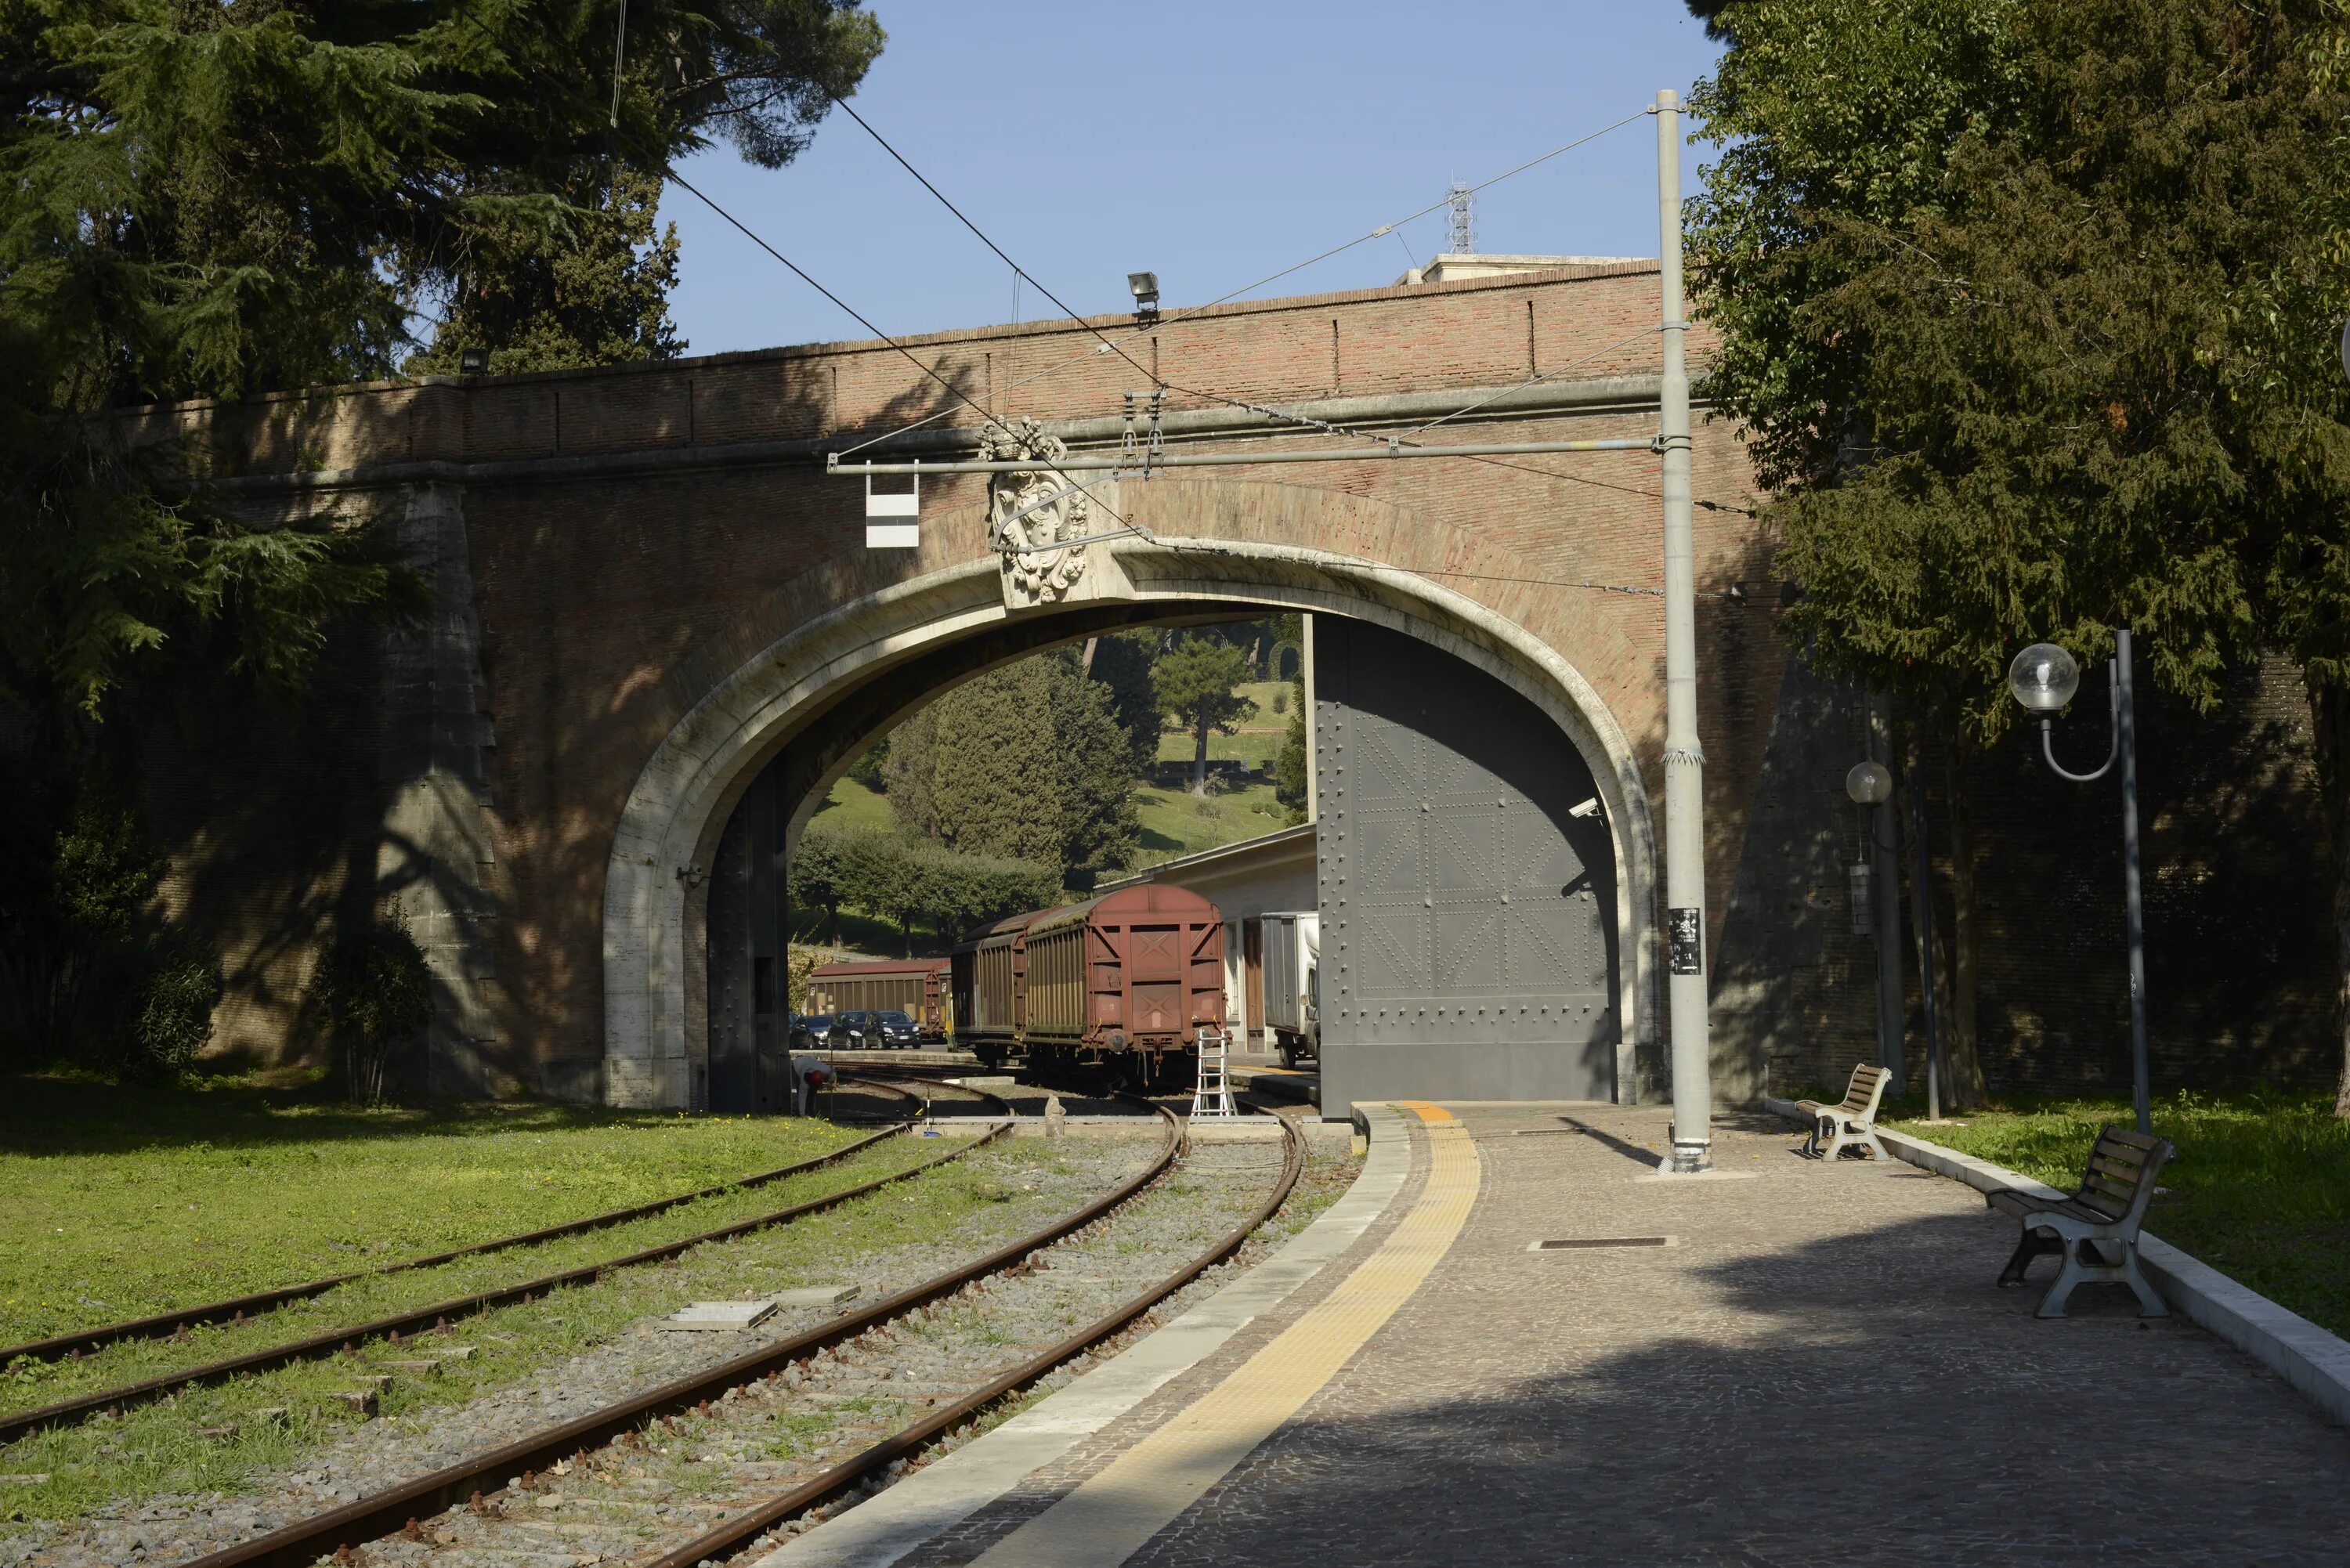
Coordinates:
(2260, 1186)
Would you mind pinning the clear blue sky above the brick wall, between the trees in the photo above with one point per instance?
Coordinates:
(1207, 142)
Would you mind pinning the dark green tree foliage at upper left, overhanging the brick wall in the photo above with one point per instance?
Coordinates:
(208, 201)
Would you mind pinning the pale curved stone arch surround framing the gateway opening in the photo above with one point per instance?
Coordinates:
(1221, 547)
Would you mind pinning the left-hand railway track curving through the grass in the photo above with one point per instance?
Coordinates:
(443, 1313)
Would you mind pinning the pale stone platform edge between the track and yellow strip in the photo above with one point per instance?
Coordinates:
(939, 1496)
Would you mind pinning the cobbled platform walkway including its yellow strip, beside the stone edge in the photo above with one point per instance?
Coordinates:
(1815, 1372)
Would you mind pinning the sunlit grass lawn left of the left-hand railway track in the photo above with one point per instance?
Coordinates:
(123, 1202)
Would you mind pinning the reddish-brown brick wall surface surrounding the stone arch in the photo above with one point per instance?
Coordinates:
(612, 601)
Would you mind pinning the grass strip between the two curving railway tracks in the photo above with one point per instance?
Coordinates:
(222, 1440)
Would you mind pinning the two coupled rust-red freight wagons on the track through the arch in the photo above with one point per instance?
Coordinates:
(1110, 993)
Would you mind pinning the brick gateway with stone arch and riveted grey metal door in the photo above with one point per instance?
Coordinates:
(652, 596)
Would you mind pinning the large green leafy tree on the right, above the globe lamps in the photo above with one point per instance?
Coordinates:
(2001, 304)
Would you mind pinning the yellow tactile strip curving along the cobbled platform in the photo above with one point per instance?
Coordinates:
(1117, 1510)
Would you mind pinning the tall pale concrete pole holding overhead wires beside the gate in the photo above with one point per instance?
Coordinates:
(1684, 760)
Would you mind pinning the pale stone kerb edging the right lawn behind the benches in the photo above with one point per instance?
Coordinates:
(2283, 1341)
